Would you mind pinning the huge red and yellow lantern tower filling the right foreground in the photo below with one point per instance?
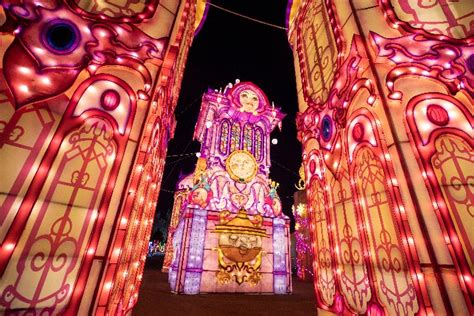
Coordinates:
(385, 94)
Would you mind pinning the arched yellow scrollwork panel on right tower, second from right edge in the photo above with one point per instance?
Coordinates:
(392, 278)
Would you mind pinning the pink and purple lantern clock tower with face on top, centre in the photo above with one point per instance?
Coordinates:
(232, 235)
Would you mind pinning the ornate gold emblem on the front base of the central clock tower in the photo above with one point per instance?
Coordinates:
(240, 248)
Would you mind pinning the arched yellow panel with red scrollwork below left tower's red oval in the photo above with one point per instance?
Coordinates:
(64, 215)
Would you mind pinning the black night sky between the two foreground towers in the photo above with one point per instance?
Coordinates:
(226, 48)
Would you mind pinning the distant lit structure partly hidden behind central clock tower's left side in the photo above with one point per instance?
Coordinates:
(180, 195)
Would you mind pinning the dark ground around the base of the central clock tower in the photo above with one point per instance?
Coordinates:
(155, 298)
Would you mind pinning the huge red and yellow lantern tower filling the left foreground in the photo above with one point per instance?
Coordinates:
(87, 95)
